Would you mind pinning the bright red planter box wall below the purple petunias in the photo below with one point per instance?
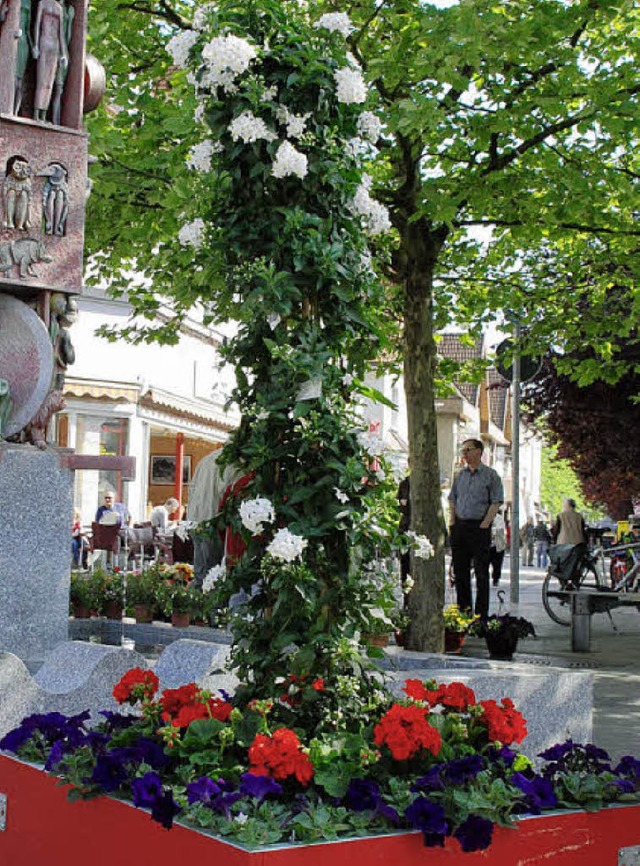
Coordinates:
(43, 827)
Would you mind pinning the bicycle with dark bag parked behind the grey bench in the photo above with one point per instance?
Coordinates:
(573, 567)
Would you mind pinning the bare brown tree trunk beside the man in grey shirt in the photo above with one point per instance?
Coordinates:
(421, 247)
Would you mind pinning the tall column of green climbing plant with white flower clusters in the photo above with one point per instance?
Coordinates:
(289, 217)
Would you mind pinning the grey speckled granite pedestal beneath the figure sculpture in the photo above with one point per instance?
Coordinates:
(35, 550)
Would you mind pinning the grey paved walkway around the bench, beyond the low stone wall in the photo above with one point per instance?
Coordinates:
(614, 659)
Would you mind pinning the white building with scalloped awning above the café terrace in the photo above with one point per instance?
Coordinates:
(154, 402)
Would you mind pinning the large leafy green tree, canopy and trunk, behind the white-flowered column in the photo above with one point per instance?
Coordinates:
(518, 117)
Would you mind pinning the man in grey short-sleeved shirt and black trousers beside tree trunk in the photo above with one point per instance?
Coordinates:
(475, 498)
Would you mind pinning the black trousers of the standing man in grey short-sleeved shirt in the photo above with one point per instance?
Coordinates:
(470, 544)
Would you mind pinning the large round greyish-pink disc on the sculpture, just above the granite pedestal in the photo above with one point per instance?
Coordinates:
(26, 361)
